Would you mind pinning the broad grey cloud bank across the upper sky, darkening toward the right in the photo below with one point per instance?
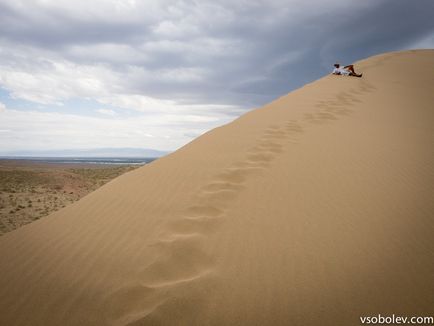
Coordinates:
(241, 54)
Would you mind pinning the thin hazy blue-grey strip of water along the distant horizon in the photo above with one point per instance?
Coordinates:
(85, 160)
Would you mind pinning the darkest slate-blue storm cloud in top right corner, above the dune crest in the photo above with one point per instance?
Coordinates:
(391, 25)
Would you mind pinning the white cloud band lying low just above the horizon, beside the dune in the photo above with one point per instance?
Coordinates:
(24, 130)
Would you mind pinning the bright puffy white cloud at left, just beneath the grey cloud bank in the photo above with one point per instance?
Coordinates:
(44, 78)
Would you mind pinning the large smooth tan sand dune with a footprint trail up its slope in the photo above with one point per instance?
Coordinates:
(313, 210)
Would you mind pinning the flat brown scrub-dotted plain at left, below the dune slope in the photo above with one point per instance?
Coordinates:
(30, 190)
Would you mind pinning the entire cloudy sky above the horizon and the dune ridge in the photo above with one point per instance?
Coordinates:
(158, 73)
